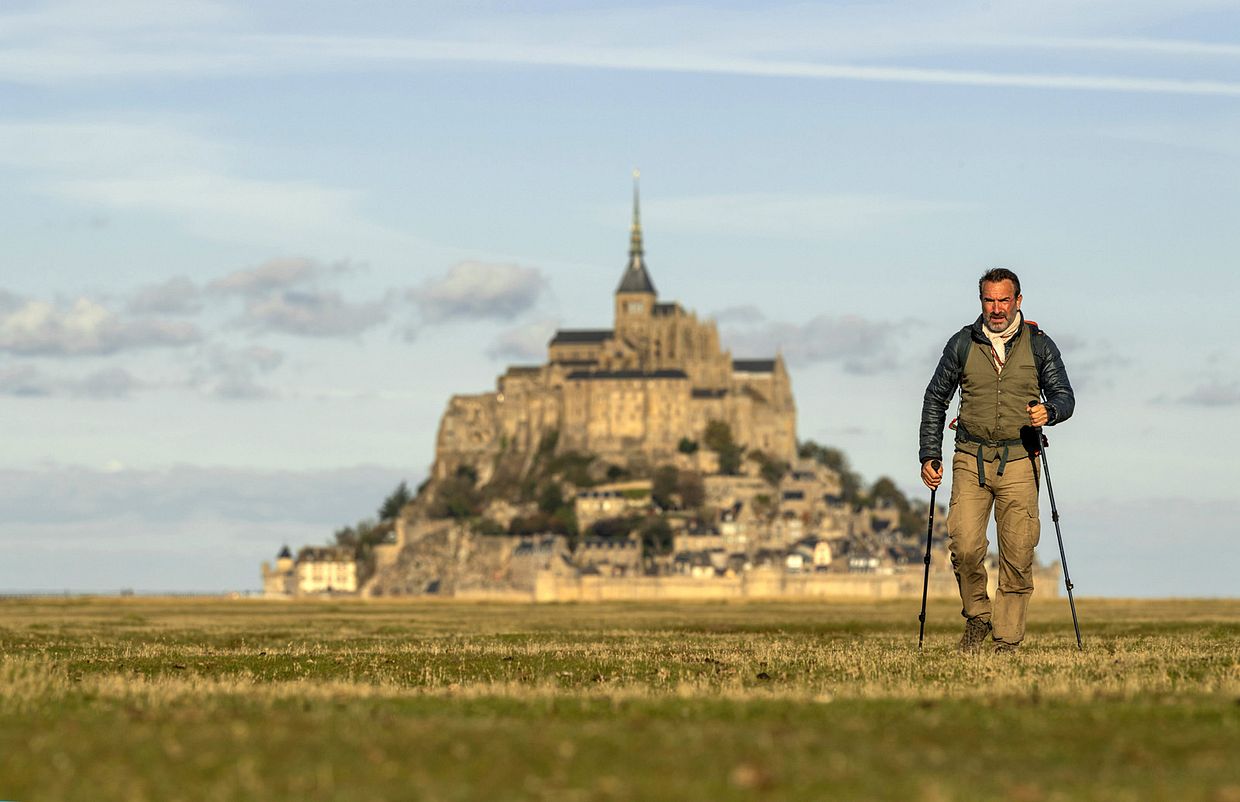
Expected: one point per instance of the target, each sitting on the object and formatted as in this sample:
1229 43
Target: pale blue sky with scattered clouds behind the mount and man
251 250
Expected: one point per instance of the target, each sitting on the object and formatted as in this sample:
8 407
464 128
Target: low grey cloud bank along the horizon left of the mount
184 529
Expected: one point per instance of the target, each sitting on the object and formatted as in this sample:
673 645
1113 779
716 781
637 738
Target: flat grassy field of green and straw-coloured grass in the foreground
245 700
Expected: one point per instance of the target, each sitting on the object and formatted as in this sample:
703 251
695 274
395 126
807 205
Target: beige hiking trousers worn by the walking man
1015 498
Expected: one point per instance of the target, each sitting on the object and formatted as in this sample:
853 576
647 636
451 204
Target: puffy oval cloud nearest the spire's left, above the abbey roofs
474 291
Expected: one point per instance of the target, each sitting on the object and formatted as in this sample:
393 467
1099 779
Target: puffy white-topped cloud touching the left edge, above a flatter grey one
85 328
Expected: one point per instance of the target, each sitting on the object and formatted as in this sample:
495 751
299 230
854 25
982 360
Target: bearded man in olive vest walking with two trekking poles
1000 364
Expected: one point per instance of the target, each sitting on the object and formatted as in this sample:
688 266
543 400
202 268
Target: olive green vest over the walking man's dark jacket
994 407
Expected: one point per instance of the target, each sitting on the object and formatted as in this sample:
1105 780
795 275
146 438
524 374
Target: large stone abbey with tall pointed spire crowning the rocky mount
632 392
